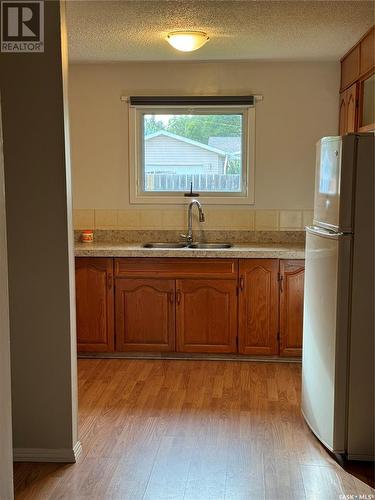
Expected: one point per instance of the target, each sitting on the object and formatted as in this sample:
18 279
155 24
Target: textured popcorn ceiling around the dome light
239 30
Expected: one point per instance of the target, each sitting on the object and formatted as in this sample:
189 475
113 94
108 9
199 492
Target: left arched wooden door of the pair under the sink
145 314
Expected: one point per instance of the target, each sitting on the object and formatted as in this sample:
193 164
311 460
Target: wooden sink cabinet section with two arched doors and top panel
190 305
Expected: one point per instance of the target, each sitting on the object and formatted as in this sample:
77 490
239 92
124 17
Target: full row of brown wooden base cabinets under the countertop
249 306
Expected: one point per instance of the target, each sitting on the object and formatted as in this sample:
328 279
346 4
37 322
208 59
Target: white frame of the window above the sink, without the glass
138 196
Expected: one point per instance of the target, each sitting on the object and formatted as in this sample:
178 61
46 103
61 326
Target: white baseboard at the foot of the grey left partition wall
63 455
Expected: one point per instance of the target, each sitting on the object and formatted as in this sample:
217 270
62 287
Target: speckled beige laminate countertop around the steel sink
239 251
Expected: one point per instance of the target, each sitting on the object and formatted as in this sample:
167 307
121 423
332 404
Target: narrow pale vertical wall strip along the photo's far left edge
6 465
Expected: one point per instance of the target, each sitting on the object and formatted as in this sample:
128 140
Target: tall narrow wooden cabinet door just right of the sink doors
258 307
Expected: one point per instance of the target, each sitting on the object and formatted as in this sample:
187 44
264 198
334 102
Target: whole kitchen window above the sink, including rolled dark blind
199 144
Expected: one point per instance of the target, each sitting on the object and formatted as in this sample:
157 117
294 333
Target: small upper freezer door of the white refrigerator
327 182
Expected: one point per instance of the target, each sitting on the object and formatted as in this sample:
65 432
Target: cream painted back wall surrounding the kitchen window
300 106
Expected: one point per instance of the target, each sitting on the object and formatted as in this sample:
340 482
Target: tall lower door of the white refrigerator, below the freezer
324 364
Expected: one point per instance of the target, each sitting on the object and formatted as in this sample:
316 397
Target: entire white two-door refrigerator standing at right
338 330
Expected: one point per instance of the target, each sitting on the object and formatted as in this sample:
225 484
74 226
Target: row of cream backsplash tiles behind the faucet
216 219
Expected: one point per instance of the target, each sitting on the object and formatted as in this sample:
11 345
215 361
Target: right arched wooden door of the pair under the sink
206 315
